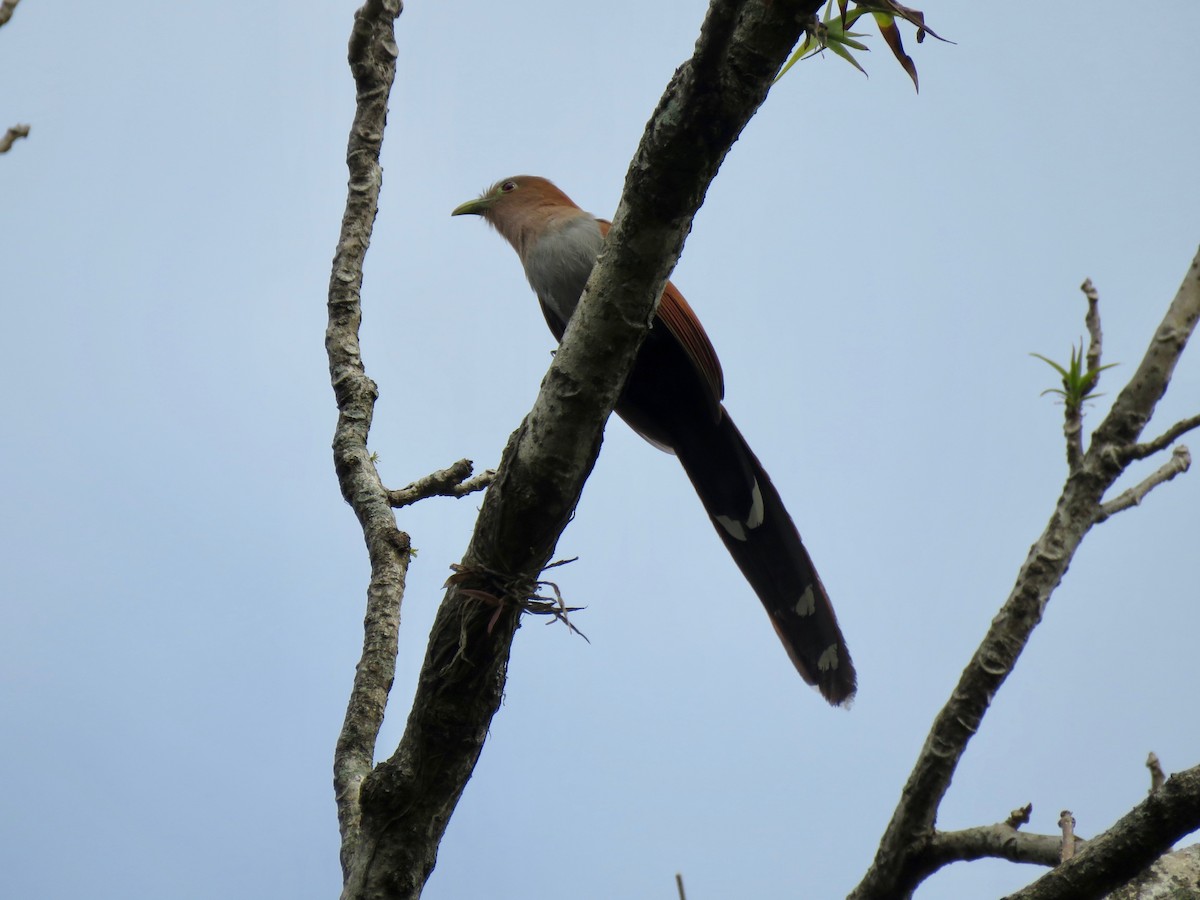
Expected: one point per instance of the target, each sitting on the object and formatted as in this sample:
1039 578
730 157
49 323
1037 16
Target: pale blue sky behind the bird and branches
184 587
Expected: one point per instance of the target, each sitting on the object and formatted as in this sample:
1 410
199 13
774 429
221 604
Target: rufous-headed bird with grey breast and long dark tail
674 398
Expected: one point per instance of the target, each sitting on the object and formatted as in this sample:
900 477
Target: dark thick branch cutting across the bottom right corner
1132 844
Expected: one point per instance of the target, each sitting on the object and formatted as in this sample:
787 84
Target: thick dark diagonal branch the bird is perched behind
409 800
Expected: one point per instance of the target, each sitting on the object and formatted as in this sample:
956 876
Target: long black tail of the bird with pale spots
749 514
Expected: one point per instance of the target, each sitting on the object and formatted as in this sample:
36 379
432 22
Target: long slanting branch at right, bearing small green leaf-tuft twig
897 868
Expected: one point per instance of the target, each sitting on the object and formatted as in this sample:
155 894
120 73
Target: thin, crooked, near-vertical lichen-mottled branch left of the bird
373 56
